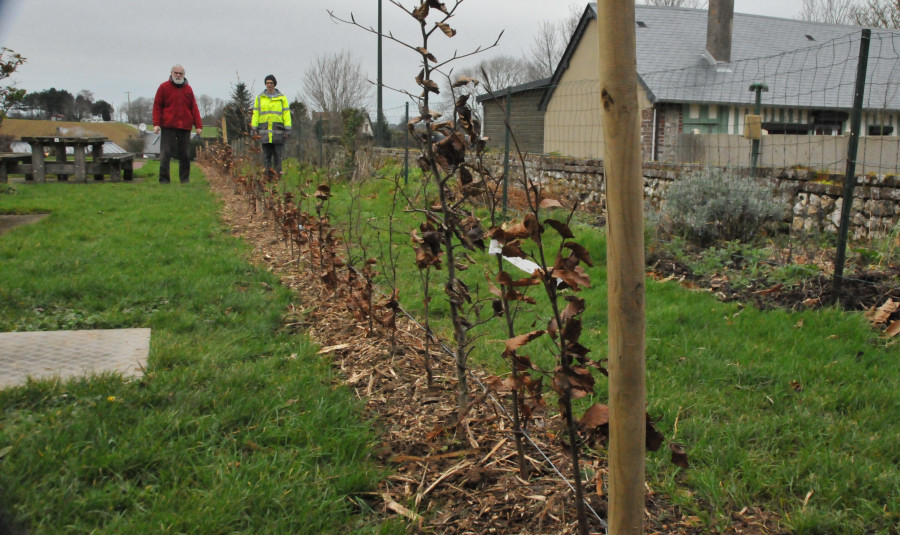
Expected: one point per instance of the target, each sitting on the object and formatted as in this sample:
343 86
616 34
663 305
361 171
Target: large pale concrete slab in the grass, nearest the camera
68 354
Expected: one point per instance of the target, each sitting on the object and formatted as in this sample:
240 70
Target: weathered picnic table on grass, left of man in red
62 167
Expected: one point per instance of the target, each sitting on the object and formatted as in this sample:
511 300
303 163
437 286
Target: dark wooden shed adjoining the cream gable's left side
525 118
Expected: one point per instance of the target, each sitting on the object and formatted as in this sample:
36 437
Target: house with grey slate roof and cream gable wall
695 72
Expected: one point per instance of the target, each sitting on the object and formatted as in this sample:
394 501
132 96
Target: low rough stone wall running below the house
814 198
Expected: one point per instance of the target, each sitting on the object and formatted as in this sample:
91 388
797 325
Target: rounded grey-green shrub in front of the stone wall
712 204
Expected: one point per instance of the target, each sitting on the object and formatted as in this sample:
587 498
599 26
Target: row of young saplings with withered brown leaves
456 185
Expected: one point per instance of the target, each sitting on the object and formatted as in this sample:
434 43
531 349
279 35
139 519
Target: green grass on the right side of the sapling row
793 412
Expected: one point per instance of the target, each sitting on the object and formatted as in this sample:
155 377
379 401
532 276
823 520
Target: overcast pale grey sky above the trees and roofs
113 47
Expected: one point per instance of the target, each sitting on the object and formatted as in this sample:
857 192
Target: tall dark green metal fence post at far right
850 175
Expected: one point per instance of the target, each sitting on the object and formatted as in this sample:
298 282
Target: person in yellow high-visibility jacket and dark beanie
272 122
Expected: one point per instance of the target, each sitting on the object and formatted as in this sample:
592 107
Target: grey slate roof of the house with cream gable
805 64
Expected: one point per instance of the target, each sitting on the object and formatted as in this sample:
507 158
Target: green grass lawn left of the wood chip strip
237 427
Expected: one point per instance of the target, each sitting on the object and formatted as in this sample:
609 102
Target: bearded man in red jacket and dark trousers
175 112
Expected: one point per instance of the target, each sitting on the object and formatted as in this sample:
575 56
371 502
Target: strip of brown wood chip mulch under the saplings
446 481
